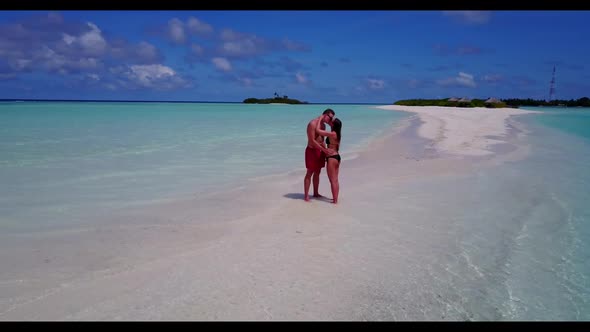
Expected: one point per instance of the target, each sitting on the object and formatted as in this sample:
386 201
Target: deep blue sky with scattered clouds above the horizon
316 56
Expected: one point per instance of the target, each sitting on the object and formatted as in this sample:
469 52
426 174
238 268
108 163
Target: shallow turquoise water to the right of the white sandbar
524 228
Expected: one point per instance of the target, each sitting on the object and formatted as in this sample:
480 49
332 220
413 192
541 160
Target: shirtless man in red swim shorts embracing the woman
315 153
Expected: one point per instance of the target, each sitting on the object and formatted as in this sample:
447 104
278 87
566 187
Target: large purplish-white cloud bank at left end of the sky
48 44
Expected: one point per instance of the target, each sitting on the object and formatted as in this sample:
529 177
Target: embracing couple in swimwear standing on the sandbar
319 153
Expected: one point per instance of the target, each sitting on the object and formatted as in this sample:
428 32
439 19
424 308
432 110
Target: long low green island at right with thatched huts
494 103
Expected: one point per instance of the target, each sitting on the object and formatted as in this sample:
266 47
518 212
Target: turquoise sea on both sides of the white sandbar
520 247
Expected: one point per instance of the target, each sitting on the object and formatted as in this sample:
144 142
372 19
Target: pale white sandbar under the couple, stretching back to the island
405 241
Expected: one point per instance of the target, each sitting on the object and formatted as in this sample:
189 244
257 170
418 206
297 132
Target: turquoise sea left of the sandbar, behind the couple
62 160
